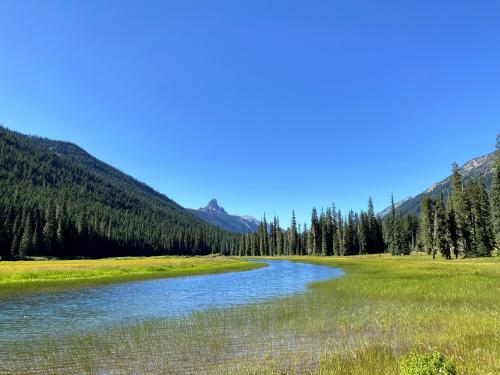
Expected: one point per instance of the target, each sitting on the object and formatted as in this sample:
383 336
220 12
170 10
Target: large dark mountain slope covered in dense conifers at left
58 200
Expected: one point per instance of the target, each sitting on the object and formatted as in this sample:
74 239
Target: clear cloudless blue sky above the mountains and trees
265 105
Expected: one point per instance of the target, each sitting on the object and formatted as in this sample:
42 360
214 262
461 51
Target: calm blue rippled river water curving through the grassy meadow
59 313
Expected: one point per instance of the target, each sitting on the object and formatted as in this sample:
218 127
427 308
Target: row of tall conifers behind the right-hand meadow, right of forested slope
465 223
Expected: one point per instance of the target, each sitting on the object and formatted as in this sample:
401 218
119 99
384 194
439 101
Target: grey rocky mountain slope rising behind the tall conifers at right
475 168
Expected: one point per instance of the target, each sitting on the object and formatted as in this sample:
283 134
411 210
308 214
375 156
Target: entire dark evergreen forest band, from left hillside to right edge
58 201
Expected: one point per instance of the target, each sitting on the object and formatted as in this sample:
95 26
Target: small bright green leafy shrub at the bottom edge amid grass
430 363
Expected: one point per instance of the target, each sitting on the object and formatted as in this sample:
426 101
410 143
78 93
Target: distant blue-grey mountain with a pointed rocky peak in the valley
216 215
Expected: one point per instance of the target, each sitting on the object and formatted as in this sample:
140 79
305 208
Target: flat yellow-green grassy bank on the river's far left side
40 275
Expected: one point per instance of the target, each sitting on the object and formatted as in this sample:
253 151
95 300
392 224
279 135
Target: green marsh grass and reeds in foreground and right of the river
362 323
